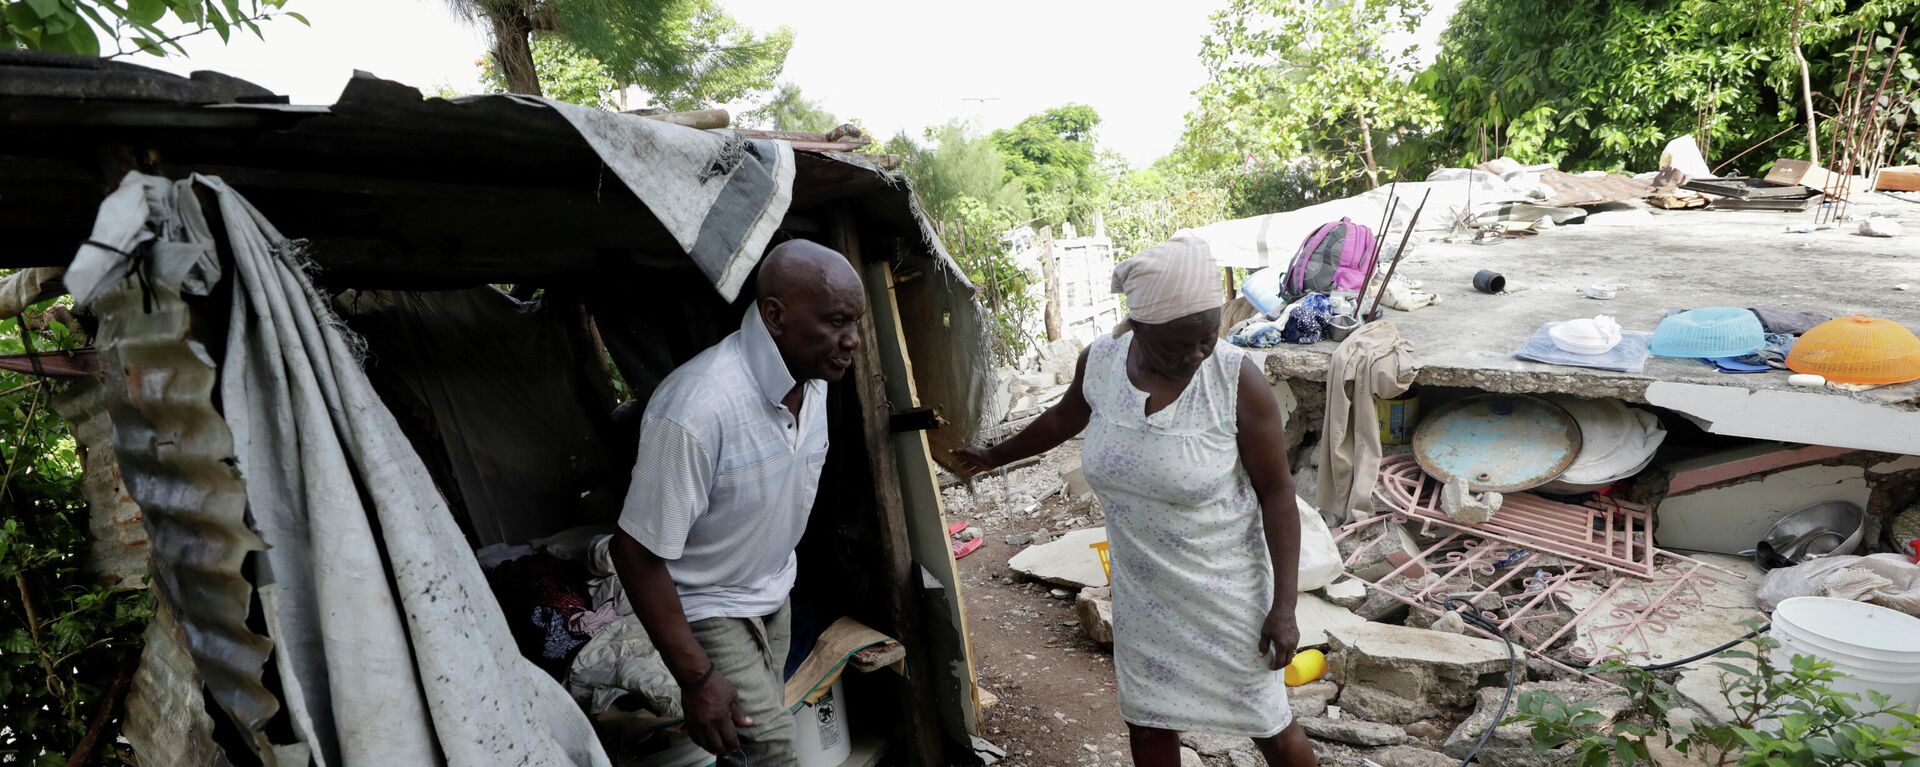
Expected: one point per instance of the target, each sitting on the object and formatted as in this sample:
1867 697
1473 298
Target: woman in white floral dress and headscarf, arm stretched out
1184 449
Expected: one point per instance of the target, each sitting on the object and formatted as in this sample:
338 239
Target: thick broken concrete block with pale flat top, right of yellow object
1420 666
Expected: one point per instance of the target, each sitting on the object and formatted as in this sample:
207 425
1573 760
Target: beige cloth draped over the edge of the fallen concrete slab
1374 362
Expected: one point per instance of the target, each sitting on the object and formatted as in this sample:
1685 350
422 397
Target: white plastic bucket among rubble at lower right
1867 645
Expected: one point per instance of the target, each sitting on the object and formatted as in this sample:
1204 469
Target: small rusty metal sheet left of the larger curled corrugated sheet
118 549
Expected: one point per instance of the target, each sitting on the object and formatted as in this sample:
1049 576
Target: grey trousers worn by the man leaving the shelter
754 655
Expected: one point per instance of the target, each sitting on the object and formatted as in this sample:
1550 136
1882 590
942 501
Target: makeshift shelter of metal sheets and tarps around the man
324 401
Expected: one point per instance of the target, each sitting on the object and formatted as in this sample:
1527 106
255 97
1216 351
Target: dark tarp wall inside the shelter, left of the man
502 385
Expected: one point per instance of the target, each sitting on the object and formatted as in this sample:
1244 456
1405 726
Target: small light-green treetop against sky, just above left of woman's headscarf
1053 159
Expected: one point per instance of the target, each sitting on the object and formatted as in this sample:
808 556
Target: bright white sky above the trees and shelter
894 64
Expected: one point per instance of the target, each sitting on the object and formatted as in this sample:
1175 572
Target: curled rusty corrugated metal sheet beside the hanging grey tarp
178 460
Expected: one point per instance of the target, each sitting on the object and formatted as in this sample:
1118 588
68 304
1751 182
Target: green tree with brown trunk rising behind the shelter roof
683 53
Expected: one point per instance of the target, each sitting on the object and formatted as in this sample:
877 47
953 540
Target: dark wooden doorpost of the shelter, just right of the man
923 731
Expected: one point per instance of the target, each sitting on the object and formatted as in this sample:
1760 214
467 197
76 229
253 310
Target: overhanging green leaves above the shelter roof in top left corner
78 26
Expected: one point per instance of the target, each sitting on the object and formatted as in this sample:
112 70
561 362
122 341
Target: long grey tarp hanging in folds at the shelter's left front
387 639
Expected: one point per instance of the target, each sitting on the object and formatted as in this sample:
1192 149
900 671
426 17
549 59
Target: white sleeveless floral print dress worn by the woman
1191 572
